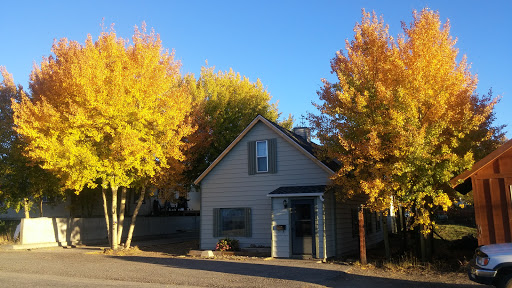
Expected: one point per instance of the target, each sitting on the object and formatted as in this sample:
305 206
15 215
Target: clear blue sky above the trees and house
286 44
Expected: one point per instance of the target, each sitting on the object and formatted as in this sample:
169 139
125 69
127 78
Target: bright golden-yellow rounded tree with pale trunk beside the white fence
107 110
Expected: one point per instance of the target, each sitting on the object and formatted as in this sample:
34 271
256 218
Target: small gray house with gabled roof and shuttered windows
268 189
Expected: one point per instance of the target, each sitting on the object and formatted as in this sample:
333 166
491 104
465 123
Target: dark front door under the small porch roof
303 225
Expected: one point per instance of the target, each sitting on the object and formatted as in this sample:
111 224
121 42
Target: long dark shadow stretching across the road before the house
331 276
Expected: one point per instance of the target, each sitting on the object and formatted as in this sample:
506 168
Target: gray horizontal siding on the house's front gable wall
228 185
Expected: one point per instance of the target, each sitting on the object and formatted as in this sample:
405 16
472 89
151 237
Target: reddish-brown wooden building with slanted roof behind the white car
491 181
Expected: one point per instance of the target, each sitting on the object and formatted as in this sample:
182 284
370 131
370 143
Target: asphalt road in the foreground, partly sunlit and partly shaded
85 267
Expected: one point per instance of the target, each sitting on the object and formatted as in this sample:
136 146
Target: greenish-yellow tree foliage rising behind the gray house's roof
226 102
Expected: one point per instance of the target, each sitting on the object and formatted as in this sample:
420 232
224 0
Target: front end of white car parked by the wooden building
492 265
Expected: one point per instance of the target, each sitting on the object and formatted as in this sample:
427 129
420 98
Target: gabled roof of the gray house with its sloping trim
295 140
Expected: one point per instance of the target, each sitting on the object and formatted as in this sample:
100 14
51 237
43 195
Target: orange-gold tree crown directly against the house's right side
359 113
